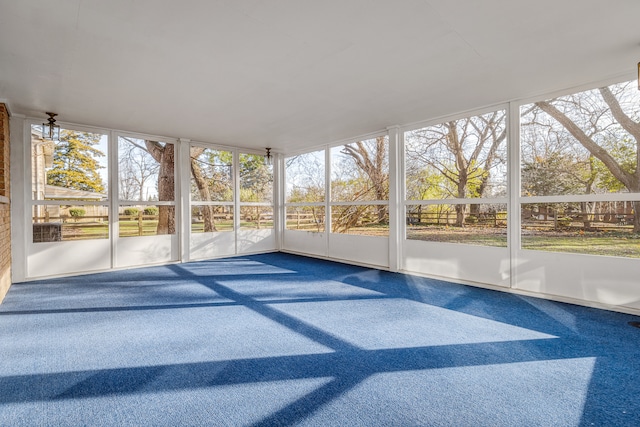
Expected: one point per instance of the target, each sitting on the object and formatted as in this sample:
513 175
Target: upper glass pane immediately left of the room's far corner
256 179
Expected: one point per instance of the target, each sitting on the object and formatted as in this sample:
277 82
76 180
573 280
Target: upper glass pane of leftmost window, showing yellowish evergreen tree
74 168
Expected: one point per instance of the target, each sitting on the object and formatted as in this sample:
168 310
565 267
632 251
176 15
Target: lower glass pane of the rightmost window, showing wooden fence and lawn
594 228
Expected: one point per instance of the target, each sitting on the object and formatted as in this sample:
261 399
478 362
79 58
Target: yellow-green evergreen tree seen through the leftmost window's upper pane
75 164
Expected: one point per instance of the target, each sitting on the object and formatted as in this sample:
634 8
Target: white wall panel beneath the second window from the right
481 264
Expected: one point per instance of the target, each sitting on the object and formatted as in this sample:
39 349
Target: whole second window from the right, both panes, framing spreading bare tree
456 181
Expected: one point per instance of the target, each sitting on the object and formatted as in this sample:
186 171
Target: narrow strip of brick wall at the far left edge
5 213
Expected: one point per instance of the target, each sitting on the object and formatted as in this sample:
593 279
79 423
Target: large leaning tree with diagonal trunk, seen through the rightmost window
597 120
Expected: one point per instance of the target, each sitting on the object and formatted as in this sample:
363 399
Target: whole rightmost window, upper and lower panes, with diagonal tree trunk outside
579 153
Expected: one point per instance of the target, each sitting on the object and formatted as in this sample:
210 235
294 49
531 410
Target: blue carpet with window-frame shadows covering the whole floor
279 339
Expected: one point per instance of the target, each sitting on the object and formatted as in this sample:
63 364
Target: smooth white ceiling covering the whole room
292 74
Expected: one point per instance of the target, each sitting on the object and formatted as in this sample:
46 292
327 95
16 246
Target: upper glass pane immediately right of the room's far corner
305 178
